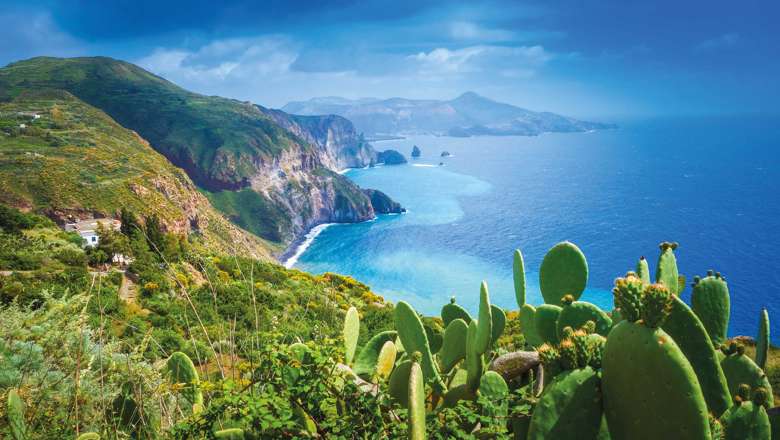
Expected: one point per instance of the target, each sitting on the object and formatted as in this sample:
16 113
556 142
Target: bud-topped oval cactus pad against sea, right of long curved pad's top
711 303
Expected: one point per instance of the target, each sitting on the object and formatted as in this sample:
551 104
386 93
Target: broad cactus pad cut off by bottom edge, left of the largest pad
569 408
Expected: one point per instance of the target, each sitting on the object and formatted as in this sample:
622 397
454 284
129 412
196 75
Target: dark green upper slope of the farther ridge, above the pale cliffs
216 140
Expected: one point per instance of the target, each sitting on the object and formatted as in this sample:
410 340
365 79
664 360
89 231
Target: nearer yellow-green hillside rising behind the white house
75 160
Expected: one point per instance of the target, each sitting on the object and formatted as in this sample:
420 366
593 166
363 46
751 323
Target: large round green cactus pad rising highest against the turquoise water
564 271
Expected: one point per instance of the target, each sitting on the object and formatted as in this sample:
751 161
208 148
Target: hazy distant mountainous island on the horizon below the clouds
467 115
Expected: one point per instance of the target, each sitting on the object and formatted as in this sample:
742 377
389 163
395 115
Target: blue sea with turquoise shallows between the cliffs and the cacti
713 185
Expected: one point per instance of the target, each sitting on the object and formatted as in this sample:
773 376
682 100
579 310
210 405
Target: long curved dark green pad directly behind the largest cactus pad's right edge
687 330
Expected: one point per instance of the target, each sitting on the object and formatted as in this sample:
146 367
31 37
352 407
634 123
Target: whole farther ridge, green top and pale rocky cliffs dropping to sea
272 173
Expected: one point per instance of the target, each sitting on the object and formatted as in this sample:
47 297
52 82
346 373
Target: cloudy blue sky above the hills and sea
600 58
